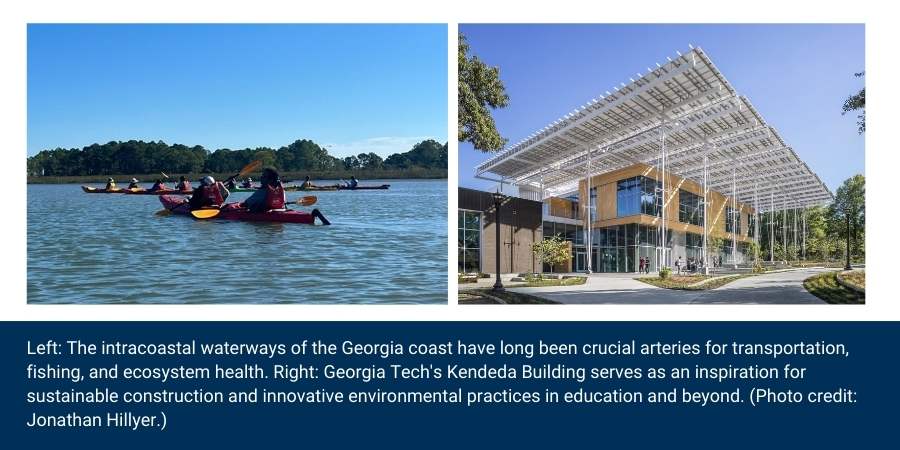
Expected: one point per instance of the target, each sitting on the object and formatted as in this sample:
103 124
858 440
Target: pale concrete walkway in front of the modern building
774 288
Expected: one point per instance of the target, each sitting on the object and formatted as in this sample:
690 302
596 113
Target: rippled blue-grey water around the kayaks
382 247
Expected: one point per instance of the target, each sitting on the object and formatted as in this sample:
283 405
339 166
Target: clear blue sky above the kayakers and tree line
354 88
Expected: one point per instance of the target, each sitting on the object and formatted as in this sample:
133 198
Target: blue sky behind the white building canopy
797 76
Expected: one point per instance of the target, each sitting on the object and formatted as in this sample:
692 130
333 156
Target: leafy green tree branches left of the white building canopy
478 89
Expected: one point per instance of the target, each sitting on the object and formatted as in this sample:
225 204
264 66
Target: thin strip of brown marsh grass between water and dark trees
415 173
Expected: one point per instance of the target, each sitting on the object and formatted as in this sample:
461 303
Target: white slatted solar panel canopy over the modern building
686 107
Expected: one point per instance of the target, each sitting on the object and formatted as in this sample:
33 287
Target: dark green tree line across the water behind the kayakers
140 157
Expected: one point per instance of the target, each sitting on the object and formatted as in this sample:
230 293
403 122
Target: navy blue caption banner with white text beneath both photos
449 384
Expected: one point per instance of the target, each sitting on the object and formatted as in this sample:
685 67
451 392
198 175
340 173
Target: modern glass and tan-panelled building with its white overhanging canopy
674 164
